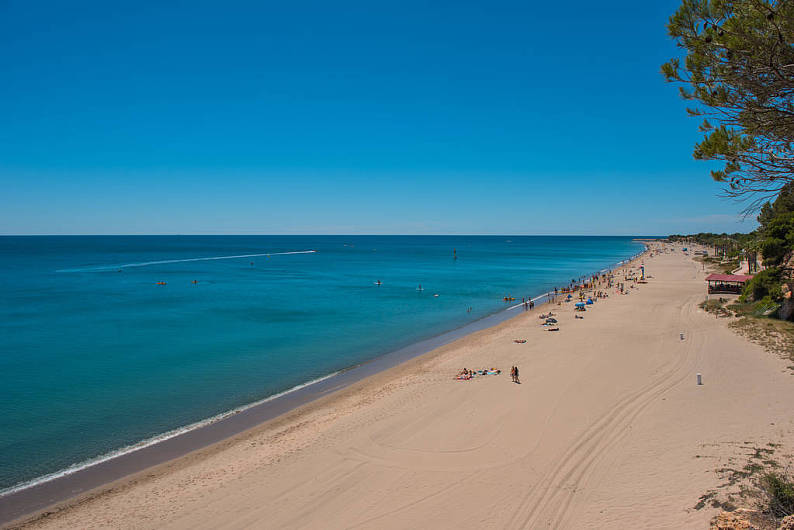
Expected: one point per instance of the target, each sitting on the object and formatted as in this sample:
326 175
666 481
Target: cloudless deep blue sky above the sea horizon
347 117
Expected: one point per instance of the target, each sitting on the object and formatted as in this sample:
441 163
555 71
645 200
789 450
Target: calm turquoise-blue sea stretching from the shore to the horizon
95 355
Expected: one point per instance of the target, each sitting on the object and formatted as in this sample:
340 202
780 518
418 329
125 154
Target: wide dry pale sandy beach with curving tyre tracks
607 429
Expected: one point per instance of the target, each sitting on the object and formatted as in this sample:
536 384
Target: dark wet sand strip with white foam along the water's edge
29 500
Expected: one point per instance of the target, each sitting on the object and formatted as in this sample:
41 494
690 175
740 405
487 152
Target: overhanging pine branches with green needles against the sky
738 70
